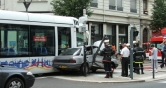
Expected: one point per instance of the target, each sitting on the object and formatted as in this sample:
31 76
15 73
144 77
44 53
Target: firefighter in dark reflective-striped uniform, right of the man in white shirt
139 53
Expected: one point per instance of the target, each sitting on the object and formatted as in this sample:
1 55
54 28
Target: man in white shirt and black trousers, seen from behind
124 58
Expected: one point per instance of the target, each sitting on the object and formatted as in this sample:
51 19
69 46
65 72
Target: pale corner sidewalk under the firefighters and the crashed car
100 74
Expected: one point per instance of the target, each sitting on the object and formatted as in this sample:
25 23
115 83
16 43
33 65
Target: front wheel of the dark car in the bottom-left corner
15 83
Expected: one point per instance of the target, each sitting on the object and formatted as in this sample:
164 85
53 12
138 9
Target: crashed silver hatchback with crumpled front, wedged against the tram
73 59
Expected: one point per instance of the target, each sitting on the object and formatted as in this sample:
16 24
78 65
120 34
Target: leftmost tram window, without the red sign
14 40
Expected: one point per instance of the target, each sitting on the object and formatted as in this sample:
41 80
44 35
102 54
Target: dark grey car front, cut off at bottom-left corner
13 77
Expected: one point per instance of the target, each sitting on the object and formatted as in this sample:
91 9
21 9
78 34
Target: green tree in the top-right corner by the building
158 15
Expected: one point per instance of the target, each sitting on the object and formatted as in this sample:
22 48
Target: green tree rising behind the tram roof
72 8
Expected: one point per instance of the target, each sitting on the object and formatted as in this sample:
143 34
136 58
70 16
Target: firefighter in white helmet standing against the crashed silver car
107 52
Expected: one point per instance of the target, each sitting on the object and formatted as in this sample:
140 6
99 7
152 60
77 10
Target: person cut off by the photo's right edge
163 44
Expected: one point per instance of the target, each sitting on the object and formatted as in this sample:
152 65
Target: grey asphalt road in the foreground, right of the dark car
59 83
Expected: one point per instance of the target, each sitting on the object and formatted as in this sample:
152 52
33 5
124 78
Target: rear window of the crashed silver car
71 51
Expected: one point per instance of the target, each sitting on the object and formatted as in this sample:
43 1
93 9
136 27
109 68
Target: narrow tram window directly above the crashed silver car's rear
64 39
